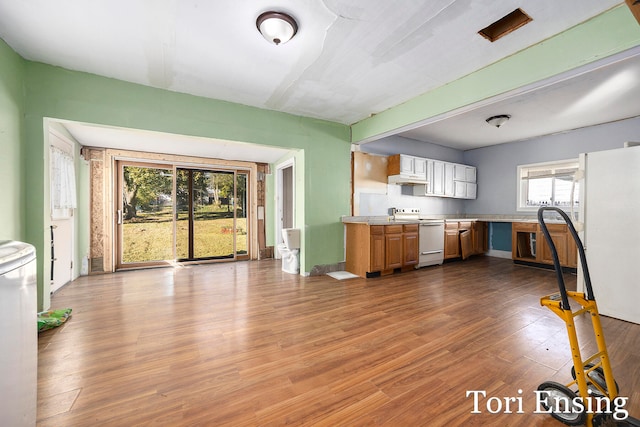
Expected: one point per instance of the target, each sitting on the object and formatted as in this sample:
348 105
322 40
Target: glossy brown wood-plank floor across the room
244 344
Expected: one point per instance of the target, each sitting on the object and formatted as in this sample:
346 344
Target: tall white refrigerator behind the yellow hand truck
610 218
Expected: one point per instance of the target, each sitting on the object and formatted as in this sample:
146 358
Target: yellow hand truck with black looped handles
597 402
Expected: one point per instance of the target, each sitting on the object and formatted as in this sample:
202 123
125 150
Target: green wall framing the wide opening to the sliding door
52 92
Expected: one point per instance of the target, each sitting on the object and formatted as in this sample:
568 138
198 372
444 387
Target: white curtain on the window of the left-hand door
63 180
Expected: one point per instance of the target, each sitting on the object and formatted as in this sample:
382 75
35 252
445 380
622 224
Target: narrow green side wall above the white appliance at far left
12 204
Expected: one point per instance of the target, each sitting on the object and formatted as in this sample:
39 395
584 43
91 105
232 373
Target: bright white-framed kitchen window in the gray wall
548 184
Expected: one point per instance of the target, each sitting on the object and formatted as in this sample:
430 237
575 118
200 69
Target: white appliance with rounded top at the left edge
19 337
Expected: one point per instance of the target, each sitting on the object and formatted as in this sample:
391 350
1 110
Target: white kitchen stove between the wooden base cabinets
431 245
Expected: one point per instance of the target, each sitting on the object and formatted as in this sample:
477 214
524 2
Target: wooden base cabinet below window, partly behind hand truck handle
529 246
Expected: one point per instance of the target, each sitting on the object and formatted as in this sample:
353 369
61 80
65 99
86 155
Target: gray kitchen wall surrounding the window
497 165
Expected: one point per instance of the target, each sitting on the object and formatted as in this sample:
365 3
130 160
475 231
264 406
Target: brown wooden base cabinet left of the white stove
380 249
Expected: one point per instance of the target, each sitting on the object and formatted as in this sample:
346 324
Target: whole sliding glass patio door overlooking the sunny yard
199 215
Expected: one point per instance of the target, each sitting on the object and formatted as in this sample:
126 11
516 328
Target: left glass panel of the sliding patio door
146 232
